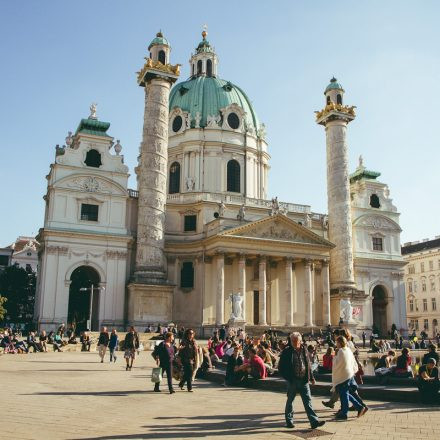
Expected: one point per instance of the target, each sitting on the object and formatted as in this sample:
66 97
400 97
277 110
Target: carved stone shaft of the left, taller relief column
152 181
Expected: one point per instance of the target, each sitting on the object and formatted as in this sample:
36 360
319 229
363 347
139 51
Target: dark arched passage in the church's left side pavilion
82 280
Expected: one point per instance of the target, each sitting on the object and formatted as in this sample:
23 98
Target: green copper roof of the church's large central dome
208 95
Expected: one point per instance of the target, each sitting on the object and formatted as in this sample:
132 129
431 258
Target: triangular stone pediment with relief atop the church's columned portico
278 228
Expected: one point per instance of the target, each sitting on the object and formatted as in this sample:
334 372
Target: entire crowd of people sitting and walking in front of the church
247 359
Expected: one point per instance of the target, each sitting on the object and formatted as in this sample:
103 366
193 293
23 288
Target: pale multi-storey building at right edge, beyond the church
422 281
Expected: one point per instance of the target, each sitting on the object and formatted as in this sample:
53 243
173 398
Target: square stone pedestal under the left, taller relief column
149 303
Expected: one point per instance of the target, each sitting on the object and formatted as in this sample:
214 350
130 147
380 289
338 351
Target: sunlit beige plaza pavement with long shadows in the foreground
73 396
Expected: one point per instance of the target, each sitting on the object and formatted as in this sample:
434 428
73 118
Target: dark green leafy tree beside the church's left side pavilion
18 286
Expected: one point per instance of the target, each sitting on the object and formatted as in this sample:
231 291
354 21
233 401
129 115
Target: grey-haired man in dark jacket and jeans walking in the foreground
294 367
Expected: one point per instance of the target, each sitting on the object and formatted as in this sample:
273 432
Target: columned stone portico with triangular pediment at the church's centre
279 266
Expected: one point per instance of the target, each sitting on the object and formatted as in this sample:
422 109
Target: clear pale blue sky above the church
57 57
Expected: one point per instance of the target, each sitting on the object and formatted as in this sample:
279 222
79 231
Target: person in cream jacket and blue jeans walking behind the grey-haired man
343 372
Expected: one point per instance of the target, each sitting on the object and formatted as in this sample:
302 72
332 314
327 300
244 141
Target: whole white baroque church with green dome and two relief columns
198 243
